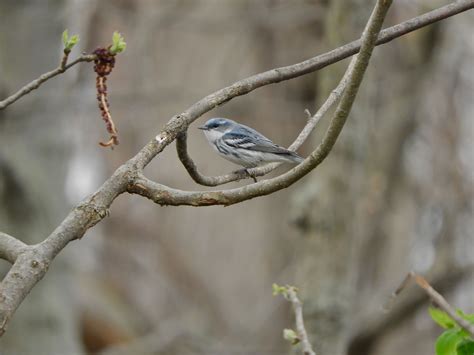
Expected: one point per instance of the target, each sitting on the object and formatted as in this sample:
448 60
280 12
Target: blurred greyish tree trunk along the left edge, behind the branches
32 171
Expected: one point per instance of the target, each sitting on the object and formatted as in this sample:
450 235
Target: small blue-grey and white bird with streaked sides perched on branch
243 145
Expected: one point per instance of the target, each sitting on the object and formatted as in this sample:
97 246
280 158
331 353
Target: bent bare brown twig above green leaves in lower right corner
436 297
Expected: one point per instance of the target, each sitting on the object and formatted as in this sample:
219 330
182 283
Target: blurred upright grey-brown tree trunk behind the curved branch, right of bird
325 206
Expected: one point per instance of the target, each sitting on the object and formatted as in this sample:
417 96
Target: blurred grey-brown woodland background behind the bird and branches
396 193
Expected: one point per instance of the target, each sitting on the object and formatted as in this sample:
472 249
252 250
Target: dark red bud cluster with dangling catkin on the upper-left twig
104 63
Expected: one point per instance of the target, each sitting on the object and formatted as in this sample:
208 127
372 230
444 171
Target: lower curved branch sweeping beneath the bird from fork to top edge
164 195
